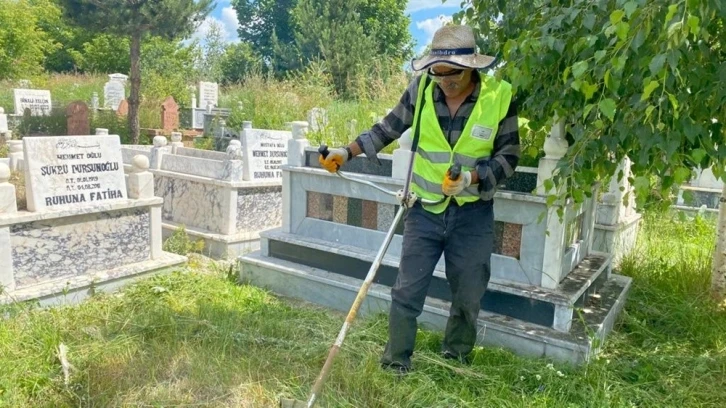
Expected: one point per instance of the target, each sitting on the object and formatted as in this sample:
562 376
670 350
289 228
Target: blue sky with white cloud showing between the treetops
426 17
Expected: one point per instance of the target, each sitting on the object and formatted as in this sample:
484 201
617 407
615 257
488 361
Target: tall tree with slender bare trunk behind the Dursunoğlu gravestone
136 20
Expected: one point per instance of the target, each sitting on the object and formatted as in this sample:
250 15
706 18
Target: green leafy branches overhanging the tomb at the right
640 78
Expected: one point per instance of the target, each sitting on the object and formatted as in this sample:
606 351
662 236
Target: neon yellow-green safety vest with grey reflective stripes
434 155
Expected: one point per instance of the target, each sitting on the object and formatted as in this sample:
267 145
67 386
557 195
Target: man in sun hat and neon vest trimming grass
462 116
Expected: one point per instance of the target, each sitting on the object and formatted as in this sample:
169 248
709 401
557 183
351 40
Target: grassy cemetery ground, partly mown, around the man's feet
197 337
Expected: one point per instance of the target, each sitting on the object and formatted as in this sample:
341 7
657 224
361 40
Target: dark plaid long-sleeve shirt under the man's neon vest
492 171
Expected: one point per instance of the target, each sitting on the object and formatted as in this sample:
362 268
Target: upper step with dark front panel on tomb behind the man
545 307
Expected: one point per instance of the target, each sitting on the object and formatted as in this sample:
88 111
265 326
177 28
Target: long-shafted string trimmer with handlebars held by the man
406 199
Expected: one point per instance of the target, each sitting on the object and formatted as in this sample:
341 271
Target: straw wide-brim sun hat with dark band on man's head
454 45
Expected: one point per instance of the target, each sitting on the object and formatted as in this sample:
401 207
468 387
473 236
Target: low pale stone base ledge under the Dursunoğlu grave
76 289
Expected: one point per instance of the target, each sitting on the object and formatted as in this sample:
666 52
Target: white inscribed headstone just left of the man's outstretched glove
264 154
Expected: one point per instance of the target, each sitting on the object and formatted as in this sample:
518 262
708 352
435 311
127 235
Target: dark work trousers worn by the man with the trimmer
465 235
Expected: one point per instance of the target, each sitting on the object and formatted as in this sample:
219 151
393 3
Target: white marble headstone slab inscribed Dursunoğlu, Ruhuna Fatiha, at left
63 172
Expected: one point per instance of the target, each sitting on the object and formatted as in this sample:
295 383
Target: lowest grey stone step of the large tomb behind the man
337 291
